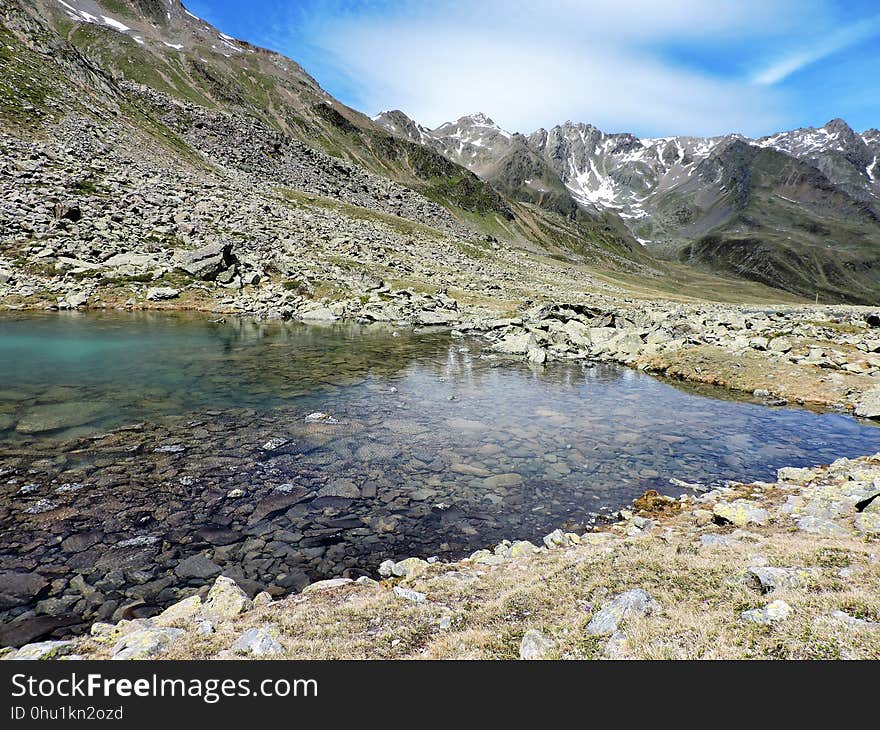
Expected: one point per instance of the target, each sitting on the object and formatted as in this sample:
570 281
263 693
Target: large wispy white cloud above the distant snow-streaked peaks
527 64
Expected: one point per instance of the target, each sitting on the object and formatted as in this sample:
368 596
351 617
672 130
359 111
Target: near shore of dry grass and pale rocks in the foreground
741 530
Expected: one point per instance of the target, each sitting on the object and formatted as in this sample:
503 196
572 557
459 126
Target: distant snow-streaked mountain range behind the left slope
797 210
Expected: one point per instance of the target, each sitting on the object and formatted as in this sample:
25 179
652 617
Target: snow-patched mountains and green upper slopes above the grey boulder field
798 211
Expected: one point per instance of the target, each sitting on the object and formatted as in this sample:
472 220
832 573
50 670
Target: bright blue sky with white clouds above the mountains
652 68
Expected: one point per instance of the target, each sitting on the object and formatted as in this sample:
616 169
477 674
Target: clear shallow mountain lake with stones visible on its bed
432 448
